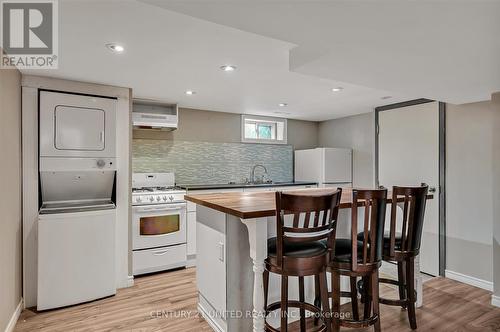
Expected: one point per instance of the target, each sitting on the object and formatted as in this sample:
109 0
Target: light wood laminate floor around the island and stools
155 303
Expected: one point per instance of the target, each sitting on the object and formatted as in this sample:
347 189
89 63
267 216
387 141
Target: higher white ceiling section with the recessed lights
168 53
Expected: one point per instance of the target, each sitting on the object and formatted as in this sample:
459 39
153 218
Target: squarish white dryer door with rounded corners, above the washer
79 128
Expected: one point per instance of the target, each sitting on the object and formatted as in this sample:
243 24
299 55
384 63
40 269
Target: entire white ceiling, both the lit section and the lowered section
406 50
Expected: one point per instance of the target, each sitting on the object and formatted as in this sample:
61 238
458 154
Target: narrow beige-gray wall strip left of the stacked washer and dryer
10 195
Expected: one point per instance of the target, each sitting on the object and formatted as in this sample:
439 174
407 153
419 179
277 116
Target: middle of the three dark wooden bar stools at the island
360 257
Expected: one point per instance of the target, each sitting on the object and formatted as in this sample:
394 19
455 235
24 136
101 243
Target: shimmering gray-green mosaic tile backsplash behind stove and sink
211 163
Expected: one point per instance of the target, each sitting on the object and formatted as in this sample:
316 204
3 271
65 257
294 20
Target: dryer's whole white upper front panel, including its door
76 125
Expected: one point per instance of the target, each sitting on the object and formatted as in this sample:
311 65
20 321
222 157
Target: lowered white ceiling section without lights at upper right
443 50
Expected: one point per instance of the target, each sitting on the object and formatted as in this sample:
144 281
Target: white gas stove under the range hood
158 223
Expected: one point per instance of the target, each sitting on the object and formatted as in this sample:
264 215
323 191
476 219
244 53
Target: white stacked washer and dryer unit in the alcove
77 173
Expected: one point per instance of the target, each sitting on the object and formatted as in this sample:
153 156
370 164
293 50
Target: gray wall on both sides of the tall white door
472 176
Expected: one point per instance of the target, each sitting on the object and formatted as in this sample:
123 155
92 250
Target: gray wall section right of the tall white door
469 189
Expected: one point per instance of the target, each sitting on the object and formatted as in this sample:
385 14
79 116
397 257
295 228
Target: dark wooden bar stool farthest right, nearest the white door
401 246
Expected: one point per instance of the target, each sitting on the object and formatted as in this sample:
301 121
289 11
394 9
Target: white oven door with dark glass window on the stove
159 225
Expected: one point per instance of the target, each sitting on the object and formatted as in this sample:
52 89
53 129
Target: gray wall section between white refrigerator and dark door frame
356 132
